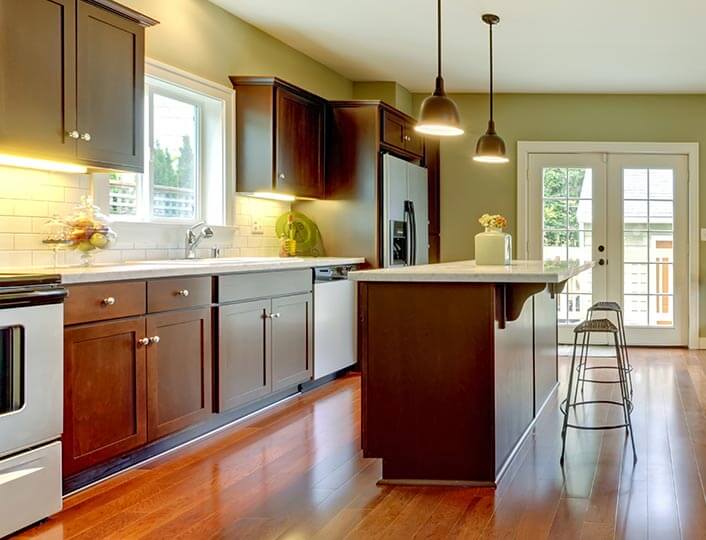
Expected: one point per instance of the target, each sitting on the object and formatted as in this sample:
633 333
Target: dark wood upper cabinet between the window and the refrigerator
280 137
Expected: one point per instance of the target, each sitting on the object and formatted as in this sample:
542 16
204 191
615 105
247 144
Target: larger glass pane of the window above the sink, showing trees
173 166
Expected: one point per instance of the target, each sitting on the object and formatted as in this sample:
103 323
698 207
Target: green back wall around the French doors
469 189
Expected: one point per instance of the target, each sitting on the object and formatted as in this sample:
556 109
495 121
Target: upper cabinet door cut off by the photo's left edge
37 77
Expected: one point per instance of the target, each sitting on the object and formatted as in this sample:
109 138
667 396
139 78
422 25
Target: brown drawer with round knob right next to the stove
101 301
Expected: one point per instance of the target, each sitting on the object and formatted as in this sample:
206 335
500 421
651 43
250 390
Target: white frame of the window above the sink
217 210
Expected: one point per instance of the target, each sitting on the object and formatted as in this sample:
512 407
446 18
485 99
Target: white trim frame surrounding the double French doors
690 150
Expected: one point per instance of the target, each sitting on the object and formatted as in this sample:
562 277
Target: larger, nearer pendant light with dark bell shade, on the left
439 115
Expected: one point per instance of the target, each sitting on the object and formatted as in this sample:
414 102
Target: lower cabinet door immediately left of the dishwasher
291 340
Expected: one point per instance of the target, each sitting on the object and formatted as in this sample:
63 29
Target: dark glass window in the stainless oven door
12 368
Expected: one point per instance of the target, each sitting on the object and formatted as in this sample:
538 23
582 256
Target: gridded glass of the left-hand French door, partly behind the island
567 223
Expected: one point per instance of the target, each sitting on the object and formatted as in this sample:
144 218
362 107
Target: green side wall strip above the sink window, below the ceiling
200 37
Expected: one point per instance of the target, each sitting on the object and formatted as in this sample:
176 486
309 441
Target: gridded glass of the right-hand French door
648 246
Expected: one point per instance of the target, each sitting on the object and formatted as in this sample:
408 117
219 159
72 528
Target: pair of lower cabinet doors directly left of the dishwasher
265 347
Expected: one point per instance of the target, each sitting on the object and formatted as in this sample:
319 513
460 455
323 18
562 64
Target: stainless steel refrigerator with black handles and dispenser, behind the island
405 215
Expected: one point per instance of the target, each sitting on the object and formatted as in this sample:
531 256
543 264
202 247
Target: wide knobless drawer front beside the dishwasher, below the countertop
238 287
